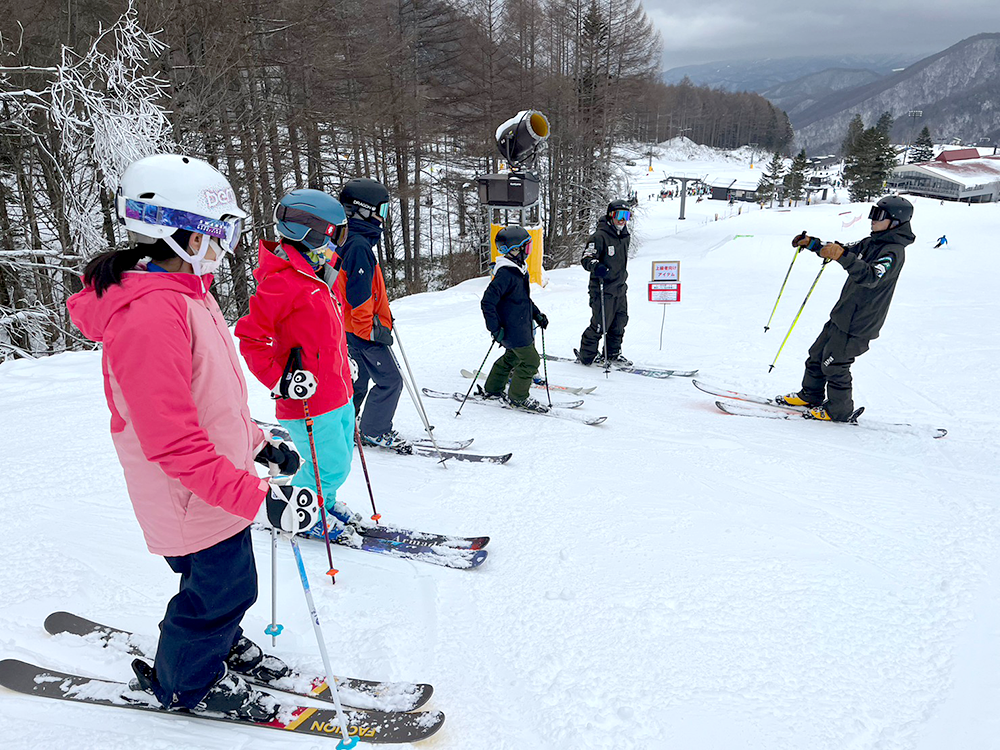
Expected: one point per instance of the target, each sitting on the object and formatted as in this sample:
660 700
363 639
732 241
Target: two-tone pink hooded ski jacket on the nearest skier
179 416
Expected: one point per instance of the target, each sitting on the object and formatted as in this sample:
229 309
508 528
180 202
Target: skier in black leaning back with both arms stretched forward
873 265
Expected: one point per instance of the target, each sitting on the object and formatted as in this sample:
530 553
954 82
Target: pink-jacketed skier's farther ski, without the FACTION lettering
365 694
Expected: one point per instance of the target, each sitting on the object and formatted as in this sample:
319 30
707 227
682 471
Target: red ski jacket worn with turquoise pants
293 307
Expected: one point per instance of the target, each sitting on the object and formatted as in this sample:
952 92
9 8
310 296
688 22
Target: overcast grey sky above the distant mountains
702 31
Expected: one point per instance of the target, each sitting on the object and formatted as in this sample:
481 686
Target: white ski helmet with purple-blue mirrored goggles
160 194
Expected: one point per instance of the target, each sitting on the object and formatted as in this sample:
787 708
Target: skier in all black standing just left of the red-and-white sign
606 257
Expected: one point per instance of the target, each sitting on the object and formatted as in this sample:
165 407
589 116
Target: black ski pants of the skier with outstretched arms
828 371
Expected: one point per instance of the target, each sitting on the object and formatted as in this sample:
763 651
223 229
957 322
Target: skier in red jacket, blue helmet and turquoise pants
297 308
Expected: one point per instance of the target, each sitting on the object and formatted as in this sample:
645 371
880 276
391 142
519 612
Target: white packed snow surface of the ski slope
673 578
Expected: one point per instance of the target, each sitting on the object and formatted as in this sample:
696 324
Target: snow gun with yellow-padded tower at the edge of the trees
511 196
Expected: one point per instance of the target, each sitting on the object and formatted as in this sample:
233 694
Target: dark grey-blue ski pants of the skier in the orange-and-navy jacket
375 364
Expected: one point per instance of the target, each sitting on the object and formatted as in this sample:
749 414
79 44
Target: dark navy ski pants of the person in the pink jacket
202 621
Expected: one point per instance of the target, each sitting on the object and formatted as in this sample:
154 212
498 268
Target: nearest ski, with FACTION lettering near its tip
367 726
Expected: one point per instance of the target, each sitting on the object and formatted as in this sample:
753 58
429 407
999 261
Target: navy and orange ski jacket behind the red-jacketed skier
360 280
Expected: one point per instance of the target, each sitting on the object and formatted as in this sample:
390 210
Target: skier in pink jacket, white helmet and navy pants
182 429
